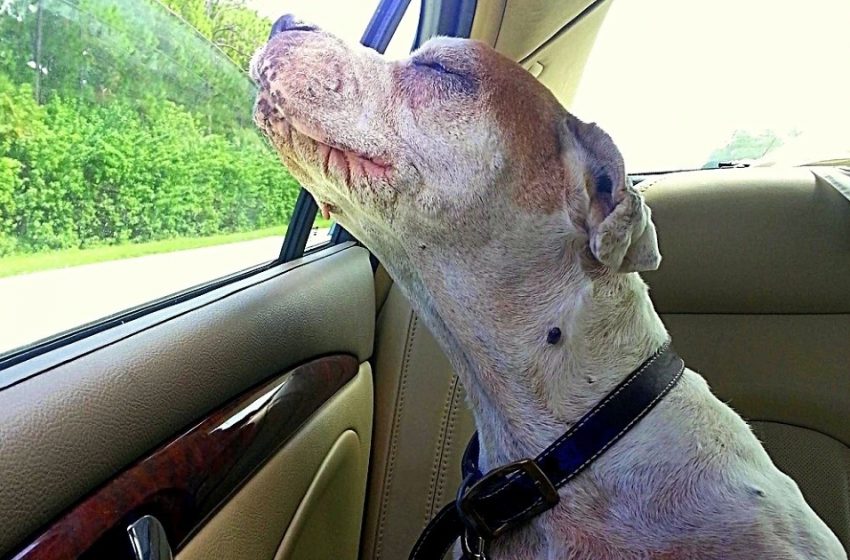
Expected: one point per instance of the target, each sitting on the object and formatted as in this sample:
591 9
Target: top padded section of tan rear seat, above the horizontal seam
756 240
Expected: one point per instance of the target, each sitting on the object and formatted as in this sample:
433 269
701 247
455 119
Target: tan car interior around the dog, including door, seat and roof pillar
301 410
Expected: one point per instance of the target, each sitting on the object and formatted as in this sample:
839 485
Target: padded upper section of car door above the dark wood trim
69 428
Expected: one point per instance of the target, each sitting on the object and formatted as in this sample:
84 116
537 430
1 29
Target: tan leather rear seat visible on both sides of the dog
755 290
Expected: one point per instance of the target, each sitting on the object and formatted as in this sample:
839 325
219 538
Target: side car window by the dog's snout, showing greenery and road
130 167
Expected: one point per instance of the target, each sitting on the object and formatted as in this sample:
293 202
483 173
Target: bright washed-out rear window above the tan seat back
684 85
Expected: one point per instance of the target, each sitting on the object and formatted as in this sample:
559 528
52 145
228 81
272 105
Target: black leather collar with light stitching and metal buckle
489 505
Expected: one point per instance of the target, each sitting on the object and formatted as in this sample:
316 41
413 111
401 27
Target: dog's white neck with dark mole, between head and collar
492 309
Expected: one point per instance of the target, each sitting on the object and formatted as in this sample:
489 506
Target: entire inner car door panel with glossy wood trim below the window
79 420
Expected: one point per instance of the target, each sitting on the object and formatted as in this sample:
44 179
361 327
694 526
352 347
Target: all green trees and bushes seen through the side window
119 123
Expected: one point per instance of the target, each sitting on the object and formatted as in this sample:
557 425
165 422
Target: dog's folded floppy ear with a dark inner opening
619 223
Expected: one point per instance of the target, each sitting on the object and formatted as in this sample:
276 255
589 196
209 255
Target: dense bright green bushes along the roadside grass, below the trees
79 174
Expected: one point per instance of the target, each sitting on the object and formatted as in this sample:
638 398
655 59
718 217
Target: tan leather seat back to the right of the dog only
755 291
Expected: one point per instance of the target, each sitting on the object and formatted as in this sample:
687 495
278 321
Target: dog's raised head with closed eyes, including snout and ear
451 143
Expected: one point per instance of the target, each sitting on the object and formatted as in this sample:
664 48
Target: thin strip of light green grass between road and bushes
22 264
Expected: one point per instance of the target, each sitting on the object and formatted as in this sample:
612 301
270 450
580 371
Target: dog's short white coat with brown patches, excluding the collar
502 216
